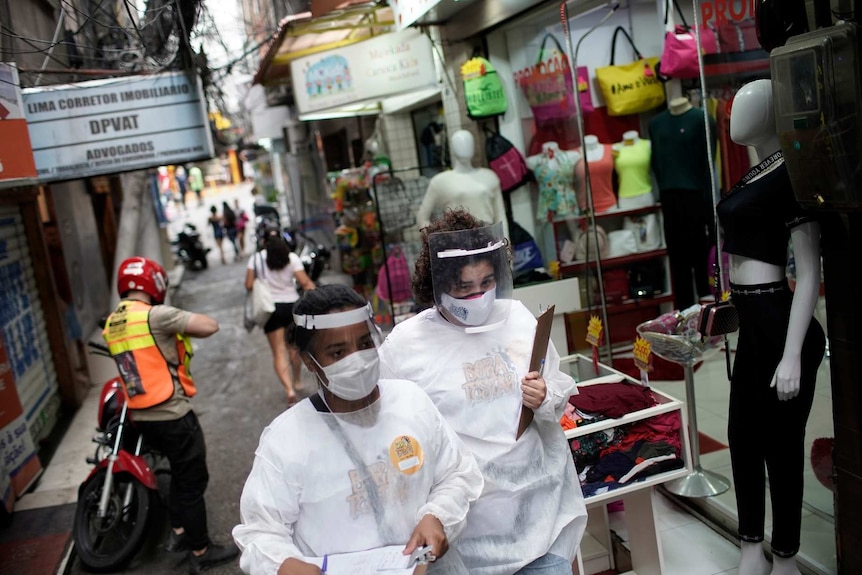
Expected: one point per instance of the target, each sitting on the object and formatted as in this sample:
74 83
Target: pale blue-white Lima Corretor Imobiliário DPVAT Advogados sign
117 125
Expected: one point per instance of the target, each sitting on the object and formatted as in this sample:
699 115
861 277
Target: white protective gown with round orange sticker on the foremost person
305 496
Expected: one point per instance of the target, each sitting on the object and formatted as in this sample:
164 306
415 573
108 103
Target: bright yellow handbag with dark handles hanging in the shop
630 88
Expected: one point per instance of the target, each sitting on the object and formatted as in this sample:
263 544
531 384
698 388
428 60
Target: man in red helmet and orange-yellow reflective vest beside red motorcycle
151 344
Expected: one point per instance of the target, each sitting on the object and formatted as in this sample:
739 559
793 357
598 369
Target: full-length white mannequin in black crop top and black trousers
772 387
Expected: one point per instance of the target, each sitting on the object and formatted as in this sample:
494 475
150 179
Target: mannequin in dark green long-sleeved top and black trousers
680 162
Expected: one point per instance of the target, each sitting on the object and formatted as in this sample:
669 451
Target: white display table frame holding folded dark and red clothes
637 496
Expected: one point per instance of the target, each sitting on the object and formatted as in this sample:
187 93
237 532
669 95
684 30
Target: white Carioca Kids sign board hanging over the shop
384 66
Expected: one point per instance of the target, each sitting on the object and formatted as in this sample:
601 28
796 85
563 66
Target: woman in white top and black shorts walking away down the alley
281 270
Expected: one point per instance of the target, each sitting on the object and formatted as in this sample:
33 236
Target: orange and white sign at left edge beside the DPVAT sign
16 157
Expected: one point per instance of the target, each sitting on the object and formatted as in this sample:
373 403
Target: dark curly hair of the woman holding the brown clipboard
453 219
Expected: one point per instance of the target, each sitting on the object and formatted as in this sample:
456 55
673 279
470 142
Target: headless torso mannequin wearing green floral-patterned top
555 172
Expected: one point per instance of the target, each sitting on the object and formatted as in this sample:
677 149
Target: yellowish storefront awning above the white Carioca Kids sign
304 34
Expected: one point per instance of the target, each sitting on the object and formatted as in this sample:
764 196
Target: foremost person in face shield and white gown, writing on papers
377 464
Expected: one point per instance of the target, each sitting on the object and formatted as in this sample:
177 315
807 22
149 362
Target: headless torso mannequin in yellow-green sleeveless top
632 163
